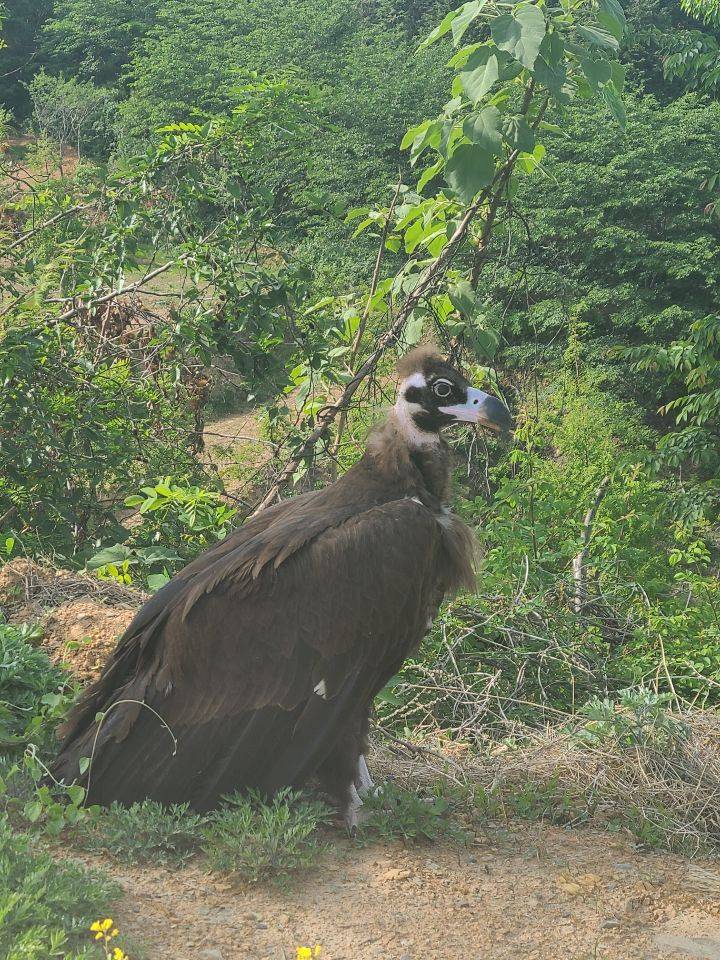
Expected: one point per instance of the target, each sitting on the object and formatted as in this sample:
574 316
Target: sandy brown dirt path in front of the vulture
530 892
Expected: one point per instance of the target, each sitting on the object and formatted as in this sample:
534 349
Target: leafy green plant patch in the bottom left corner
46 904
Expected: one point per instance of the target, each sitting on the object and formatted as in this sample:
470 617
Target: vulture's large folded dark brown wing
257 676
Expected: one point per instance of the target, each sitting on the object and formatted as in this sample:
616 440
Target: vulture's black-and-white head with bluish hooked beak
432 394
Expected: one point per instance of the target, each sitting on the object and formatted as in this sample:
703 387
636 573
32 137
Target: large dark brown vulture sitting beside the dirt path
255 667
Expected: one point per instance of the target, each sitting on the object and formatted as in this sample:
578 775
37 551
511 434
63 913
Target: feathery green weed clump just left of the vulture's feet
265 840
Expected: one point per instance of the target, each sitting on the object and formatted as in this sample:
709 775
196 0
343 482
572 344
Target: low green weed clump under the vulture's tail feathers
146 832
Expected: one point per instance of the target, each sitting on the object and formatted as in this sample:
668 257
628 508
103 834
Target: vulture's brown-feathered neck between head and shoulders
414 460
